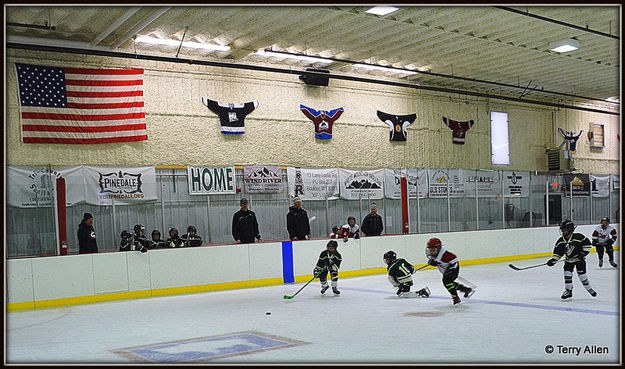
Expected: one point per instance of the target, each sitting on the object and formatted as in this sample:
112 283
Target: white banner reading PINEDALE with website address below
124 185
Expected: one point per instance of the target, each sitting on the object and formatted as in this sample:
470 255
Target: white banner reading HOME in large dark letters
211 180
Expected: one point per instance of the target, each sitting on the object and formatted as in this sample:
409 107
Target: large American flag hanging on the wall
80 106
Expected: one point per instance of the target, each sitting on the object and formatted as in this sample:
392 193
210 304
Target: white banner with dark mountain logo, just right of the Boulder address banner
361 184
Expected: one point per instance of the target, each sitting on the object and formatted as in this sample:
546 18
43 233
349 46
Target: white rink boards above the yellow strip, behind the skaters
36 279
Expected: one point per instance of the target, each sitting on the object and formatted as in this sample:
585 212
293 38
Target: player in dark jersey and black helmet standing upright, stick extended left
575 246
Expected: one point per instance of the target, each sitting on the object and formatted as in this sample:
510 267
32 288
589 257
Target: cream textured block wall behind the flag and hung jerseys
181 130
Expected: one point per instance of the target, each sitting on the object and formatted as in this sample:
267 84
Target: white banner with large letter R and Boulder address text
313 184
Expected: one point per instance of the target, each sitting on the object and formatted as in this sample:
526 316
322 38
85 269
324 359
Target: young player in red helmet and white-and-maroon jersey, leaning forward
447 263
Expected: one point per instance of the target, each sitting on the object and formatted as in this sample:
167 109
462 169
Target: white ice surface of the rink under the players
514 317
